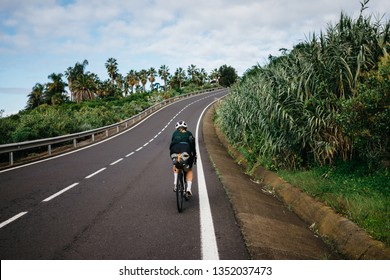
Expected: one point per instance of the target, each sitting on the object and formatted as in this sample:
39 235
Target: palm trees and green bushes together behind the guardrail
50 111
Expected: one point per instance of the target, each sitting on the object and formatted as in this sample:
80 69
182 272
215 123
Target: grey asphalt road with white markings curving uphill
114 200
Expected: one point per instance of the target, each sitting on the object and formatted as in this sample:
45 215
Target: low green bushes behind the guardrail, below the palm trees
49 121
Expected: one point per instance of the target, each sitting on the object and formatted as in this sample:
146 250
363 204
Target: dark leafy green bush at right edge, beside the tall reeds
365 117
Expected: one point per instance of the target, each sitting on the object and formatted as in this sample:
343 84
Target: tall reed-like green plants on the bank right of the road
286 112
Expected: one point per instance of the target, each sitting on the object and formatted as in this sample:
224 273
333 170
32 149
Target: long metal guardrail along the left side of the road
125 124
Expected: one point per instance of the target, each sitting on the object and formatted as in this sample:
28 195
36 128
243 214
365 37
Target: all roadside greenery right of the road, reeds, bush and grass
323 108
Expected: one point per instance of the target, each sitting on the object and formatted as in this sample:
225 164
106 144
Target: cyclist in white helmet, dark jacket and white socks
183 141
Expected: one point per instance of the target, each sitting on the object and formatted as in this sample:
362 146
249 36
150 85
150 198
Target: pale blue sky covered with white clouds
40 37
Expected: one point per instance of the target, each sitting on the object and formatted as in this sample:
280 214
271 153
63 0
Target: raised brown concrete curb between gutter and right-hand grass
349 239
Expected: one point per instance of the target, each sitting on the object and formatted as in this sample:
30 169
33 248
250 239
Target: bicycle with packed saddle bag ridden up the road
180 162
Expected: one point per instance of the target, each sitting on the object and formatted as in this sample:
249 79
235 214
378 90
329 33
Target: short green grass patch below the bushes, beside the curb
352 191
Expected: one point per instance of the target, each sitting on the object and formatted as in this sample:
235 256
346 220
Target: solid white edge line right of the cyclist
207 234
